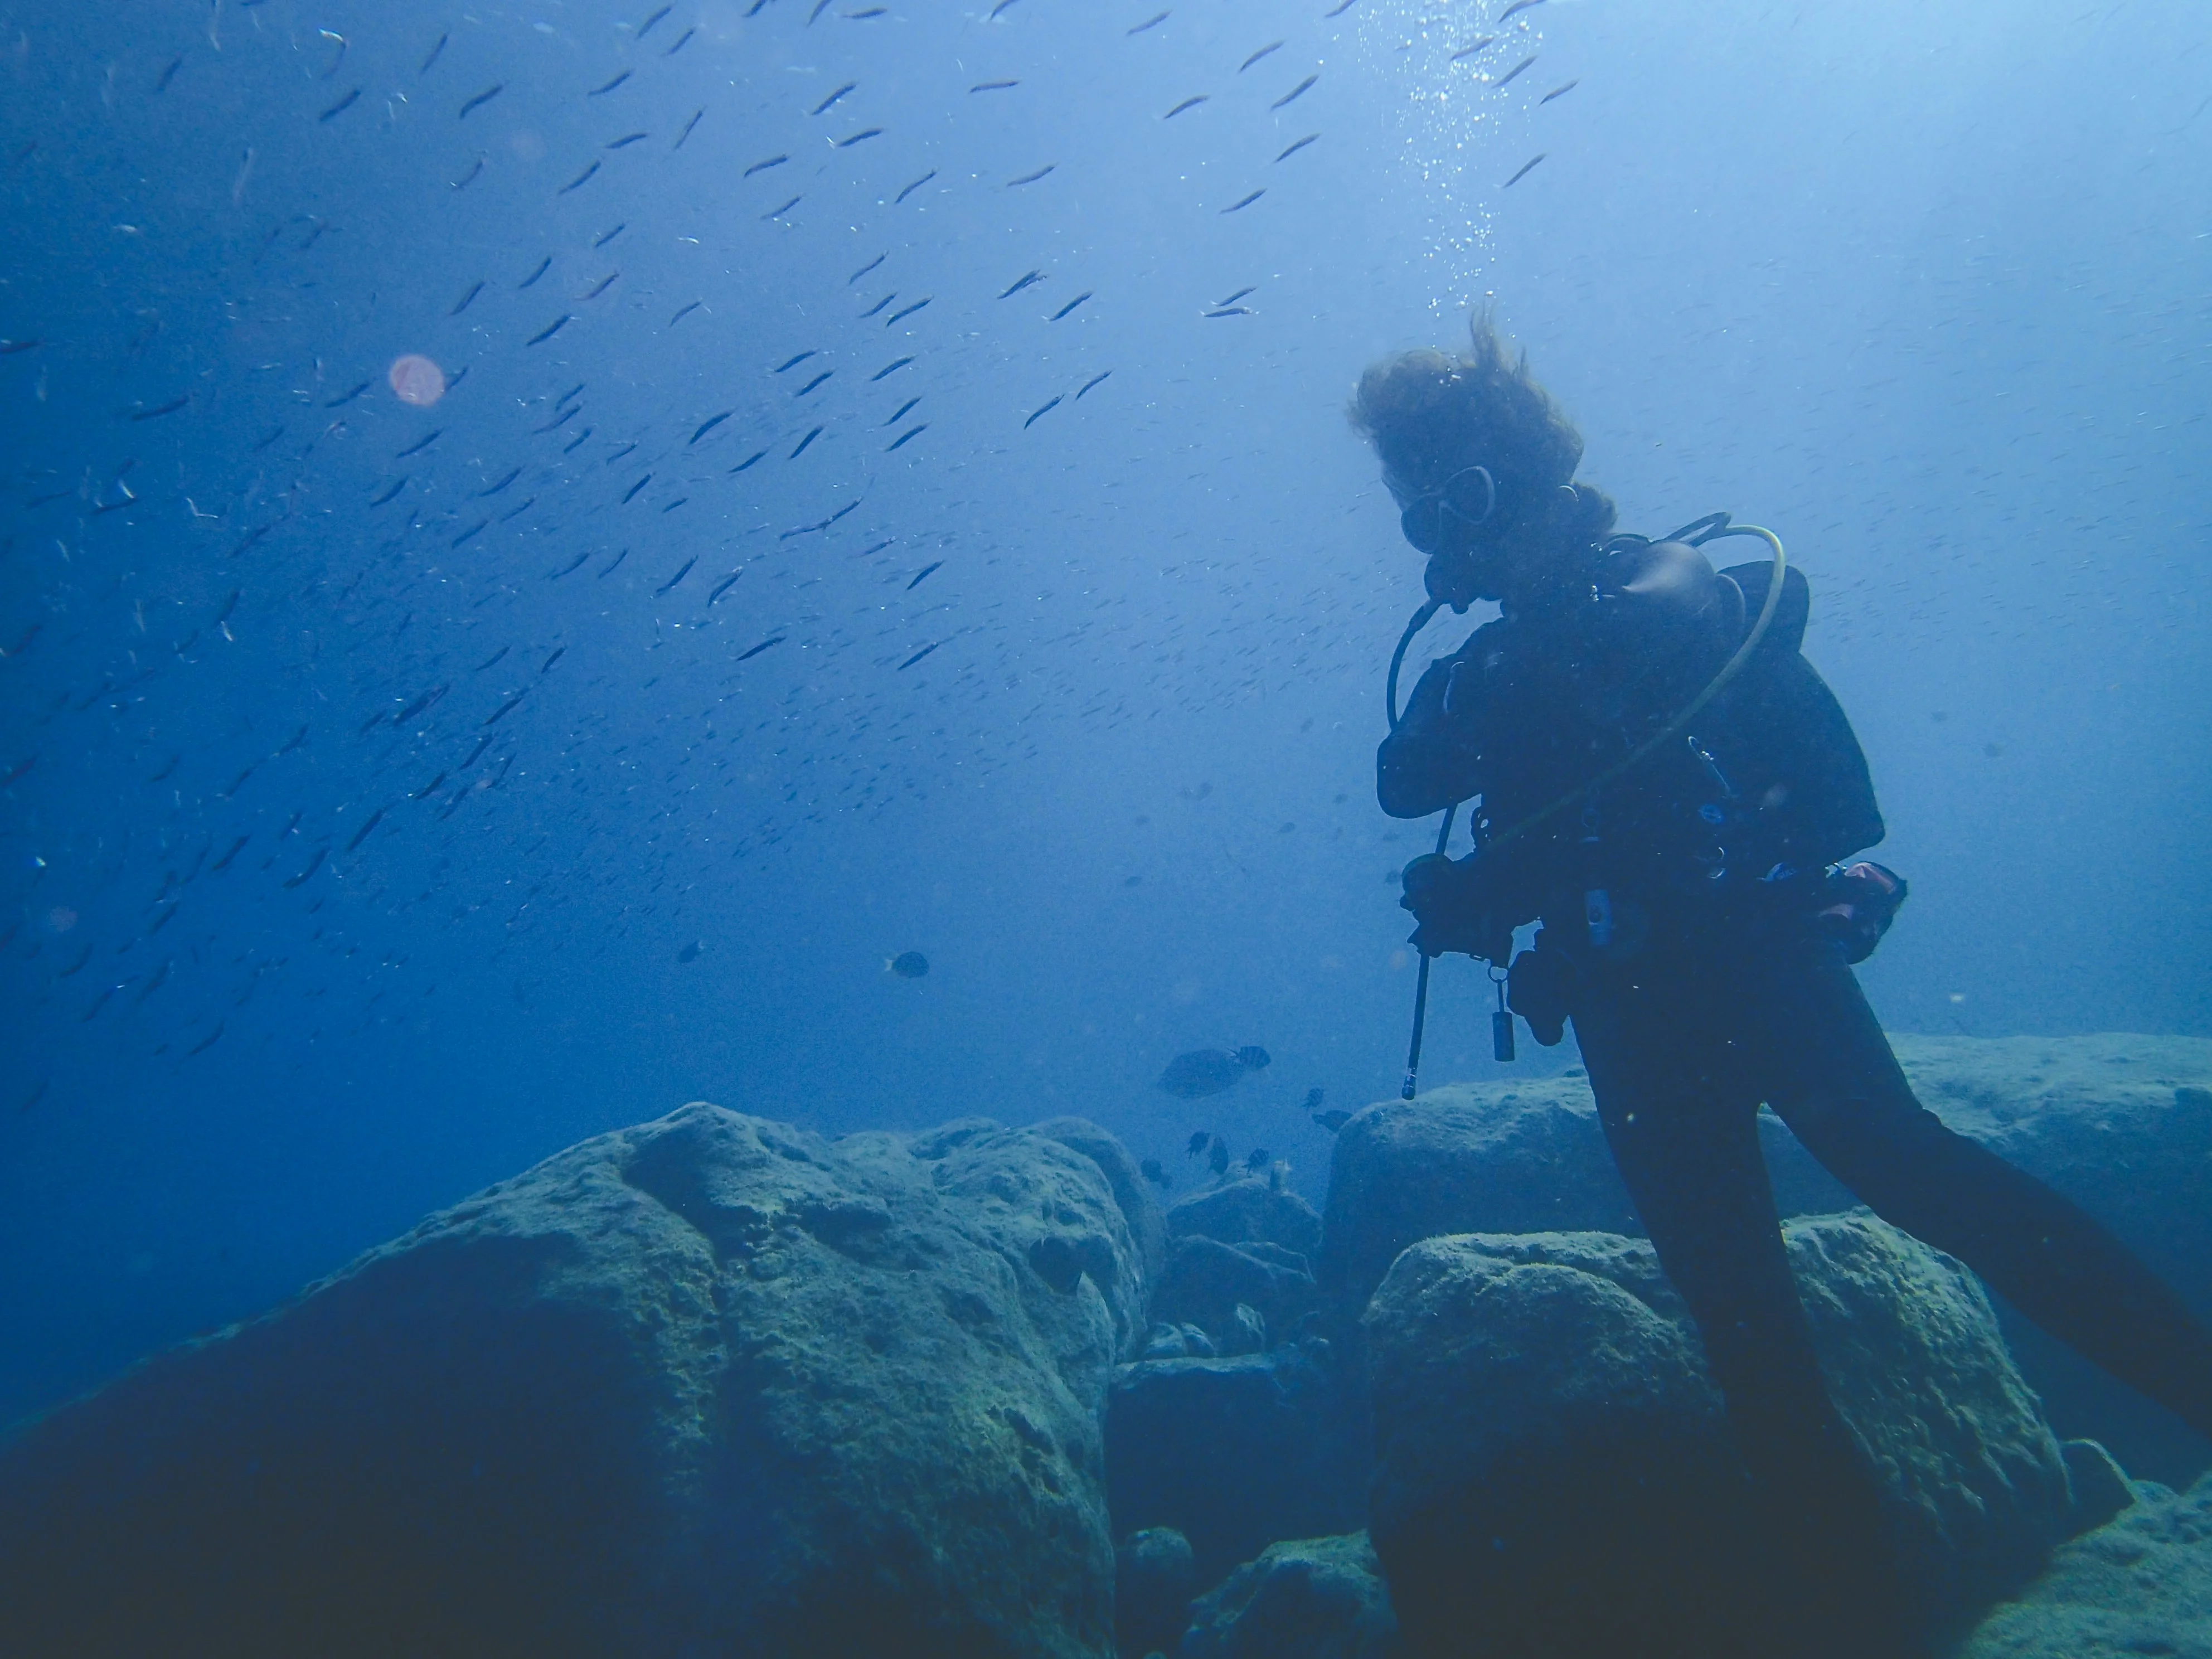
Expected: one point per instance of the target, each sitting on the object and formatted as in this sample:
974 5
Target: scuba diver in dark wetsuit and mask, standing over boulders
1673 793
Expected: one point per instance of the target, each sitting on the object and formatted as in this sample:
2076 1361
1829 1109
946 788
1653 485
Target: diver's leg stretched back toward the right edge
1844 1094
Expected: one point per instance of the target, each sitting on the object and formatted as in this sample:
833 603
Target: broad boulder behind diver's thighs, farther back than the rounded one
2118 1123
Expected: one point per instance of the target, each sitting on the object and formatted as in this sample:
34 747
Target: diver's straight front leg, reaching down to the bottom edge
1682 1125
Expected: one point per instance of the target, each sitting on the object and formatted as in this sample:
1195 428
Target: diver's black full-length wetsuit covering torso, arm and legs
1707 988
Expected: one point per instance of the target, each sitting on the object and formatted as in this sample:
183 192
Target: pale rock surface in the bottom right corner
2138 1587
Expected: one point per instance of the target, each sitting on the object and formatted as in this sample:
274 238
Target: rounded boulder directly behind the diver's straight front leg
1554 1465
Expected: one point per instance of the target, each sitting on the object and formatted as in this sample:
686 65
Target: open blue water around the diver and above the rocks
1926 291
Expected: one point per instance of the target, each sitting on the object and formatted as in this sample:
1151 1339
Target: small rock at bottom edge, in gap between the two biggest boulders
1313 1598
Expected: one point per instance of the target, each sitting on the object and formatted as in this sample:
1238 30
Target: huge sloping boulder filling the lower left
705 1386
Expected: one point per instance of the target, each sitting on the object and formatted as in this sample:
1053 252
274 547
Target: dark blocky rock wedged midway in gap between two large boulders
1238 1452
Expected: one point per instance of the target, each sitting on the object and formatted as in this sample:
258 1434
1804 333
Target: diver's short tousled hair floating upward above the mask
1428 413
